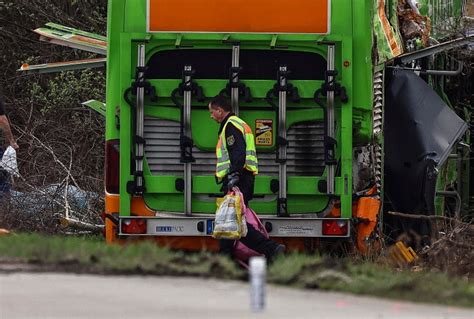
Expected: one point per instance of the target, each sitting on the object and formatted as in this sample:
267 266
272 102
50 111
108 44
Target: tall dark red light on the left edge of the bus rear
112 168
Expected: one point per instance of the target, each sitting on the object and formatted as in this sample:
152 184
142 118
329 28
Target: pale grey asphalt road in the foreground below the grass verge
26 295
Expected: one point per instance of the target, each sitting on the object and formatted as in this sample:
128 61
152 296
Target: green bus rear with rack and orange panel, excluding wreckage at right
291 71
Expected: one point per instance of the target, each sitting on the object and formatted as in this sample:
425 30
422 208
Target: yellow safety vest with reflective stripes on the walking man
223 160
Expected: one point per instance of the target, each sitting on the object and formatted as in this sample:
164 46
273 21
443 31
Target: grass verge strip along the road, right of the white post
364 278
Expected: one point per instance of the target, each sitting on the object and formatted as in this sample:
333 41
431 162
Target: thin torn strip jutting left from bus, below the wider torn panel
63 66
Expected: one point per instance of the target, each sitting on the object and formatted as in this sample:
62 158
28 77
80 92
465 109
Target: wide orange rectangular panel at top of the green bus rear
267 16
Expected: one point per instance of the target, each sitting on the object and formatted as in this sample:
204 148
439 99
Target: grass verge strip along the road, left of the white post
93 255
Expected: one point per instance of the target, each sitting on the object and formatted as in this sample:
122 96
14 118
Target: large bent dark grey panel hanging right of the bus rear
420 132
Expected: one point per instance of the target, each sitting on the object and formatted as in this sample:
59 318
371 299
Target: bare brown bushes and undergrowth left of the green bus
59 139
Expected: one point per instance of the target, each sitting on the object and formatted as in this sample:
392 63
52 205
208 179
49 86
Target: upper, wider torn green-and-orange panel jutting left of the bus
73 38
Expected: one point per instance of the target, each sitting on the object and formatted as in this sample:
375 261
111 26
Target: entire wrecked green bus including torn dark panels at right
318 81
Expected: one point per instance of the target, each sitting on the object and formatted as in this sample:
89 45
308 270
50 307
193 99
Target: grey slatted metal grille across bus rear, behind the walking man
305 152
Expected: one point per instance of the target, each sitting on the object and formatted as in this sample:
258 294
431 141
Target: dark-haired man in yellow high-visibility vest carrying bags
237 165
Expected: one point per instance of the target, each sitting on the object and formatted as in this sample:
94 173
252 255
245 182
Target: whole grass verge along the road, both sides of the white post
92 255
